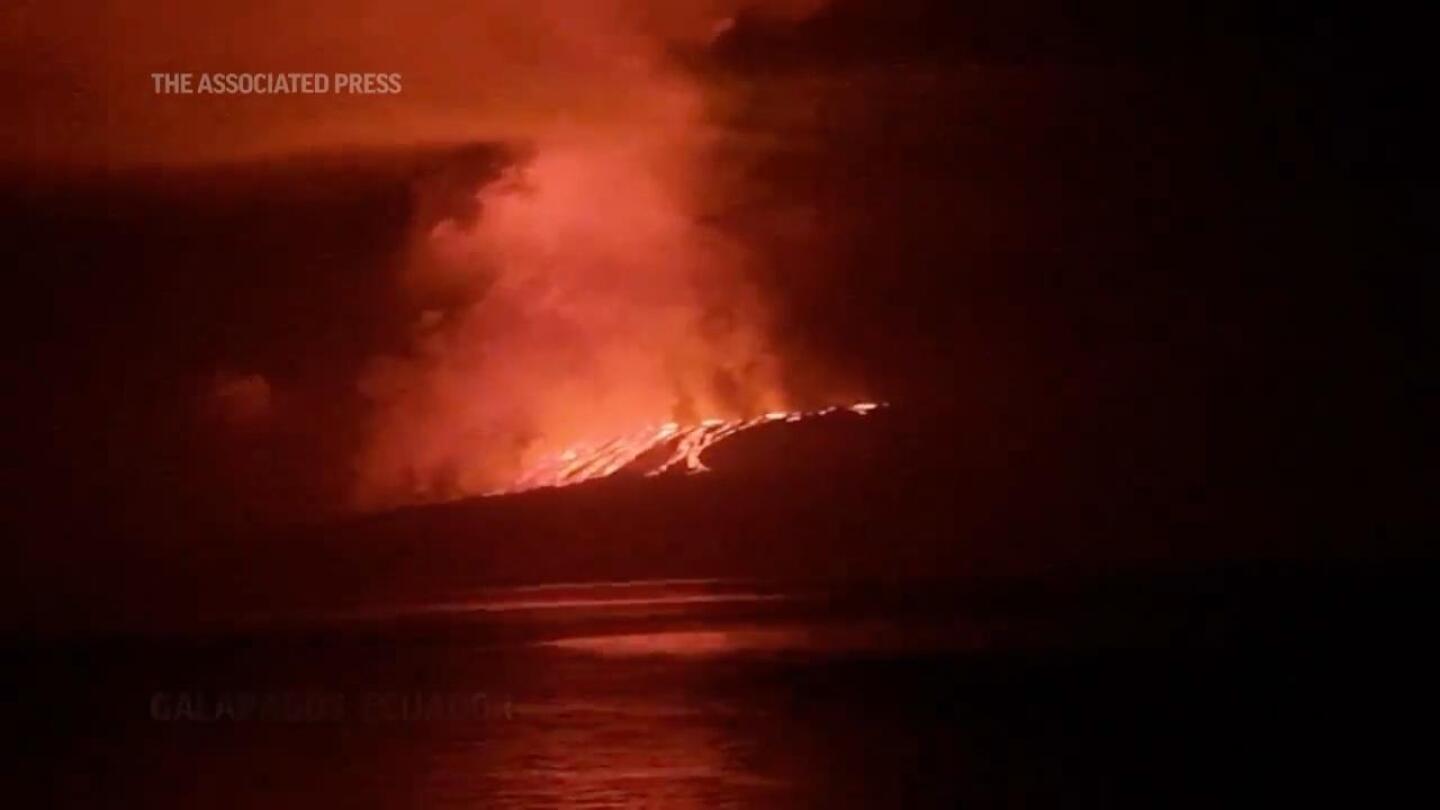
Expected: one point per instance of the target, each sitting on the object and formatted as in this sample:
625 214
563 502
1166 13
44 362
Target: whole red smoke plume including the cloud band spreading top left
578 292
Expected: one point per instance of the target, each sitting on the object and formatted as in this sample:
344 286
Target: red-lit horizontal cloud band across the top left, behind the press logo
80 89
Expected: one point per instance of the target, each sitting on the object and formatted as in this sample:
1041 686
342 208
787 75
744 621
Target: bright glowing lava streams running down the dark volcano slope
672 446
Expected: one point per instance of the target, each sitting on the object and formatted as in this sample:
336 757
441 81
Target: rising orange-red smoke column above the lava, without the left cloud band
581 292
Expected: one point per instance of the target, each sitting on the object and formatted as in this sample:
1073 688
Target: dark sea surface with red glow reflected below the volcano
722 694
